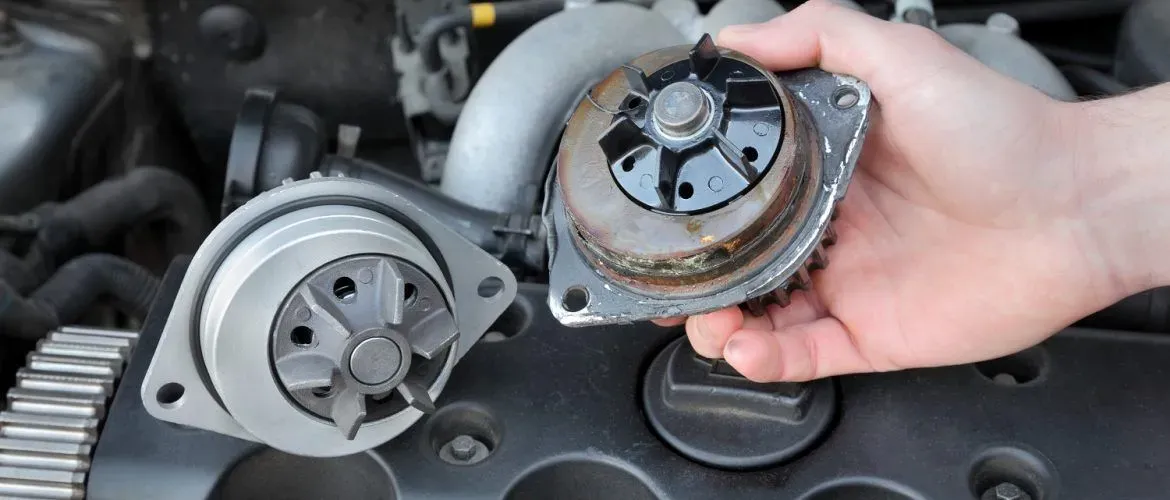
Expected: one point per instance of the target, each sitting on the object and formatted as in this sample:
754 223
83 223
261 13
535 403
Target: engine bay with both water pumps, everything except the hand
412 250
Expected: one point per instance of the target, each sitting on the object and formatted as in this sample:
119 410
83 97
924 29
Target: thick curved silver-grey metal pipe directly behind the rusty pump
504 142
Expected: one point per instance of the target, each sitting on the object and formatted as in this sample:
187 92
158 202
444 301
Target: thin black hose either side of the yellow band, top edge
428 39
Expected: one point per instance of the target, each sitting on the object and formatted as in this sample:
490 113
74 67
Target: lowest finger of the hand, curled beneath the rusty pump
806 352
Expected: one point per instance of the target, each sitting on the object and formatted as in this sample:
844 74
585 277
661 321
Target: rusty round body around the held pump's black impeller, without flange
685 251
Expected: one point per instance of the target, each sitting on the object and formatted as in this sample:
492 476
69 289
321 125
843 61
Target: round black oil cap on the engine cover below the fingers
711 414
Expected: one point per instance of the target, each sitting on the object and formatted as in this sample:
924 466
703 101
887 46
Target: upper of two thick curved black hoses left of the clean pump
114 207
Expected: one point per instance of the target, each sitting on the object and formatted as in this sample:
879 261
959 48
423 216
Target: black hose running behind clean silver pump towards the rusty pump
514 239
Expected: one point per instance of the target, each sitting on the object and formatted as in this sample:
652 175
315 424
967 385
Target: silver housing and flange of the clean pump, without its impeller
240 279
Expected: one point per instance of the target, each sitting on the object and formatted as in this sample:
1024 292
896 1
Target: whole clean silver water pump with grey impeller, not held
322 319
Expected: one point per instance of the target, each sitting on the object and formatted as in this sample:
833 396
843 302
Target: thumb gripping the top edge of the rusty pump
835 38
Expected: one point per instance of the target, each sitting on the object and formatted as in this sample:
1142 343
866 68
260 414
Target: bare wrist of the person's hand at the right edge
1119 156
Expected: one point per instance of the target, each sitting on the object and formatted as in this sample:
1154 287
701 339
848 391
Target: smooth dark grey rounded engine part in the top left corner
54 73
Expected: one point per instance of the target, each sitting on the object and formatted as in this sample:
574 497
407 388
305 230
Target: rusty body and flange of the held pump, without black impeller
615 261
